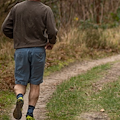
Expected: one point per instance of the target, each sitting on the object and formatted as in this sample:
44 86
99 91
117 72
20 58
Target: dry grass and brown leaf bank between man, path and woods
77 44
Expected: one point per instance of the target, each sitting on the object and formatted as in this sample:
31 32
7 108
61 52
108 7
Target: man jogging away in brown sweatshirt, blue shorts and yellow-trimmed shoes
31 25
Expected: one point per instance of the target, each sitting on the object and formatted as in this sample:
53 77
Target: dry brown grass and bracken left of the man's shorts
6 63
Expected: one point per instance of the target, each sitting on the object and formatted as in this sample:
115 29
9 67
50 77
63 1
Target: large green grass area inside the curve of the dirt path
77 96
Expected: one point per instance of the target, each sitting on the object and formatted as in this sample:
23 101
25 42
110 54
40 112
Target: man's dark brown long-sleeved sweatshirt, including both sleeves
30 24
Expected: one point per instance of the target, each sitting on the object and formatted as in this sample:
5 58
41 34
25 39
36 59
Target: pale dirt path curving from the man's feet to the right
50 83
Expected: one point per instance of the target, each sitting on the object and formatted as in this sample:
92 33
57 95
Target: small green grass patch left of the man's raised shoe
7 98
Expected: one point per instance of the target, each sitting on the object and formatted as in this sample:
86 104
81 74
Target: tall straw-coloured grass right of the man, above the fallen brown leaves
93 38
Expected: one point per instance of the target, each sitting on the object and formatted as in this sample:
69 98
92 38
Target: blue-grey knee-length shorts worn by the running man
29 65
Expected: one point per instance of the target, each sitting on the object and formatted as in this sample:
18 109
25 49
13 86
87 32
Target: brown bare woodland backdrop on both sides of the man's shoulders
95 10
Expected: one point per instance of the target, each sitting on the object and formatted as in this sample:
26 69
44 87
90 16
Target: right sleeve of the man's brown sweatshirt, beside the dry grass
51 27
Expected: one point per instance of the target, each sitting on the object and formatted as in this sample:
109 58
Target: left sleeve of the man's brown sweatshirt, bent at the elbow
7 26
